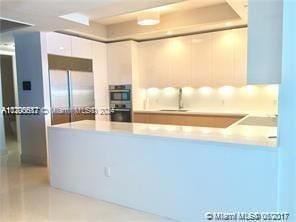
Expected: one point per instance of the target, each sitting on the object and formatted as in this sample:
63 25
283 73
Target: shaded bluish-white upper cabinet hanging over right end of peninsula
265 41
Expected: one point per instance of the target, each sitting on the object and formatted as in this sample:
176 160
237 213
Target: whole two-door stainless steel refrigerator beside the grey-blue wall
71 94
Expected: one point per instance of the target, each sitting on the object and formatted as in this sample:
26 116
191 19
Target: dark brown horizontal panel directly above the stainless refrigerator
69 63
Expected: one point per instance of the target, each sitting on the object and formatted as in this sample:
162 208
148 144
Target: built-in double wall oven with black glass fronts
120 103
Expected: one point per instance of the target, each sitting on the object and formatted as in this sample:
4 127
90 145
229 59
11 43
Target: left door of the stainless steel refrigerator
59 96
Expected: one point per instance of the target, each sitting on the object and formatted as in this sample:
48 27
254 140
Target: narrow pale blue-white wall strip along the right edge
287 110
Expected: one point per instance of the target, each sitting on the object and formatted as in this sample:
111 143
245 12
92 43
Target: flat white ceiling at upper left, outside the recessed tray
44 14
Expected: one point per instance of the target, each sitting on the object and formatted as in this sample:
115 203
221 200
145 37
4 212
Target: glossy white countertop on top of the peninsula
237 134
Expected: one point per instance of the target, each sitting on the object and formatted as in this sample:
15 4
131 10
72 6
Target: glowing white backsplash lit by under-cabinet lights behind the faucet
261 99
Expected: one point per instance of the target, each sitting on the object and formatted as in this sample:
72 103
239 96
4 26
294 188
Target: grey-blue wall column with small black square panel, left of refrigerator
31 60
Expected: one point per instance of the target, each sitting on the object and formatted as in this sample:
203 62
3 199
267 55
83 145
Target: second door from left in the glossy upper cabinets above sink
178 52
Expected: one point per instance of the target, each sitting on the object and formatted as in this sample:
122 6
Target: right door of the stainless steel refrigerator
82 100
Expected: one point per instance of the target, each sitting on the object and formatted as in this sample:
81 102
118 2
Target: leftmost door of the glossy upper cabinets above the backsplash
154 64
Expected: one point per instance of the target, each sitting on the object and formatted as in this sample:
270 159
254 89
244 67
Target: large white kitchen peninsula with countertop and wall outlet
129 163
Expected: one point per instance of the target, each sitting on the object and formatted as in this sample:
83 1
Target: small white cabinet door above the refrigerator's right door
81 48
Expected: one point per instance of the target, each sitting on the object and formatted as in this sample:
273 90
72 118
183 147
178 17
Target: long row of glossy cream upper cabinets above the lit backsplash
211 59
